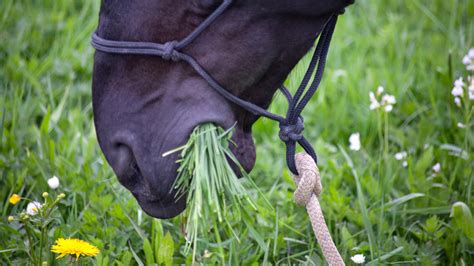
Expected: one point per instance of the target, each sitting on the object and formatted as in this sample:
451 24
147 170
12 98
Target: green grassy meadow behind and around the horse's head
388 210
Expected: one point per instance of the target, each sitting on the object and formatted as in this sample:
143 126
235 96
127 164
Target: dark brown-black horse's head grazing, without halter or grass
145 106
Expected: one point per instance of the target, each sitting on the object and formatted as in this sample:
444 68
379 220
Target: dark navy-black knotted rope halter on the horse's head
291 126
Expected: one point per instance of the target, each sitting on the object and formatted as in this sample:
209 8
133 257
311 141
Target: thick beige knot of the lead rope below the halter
308 181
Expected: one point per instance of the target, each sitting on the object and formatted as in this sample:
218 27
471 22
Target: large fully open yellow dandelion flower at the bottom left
74 246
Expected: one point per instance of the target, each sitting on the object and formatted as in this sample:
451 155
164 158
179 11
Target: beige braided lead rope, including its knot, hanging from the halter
306 194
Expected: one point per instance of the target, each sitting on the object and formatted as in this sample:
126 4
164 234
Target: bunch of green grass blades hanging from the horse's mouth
214 193
